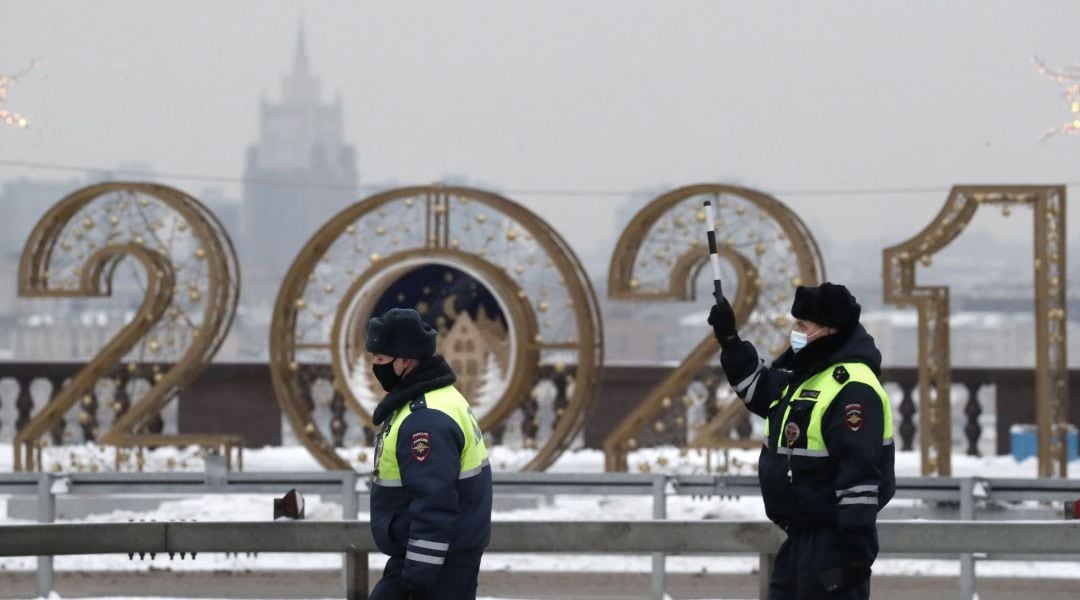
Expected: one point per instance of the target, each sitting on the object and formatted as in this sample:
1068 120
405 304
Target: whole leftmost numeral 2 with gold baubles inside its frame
190 282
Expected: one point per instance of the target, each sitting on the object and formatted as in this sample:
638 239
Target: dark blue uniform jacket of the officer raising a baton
859 463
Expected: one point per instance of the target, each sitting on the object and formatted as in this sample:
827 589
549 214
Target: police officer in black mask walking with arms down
431 502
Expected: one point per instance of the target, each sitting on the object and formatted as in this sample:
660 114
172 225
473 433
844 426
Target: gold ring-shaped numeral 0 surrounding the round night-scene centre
448 223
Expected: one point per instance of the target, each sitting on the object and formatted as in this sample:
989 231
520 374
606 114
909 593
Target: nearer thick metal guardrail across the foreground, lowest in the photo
625 538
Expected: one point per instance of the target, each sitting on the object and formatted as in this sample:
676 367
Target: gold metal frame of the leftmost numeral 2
38 278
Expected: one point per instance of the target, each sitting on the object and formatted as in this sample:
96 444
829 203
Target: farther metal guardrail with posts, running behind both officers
961 493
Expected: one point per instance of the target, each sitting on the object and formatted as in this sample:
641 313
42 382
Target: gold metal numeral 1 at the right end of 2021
899 266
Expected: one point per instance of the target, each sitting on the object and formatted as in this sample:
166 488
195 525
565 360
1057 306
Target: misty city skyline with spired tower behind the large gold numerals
302 169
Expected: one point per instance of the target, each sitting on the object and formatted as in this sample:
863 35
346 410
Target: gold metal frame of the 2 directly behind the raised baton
676 222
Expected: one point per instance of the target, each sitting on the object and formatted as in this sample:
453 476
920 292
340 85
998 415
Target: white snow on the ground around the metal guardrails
565 508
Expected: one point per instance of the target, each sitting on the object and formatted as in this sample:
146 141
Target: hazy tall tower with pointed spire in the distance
298 176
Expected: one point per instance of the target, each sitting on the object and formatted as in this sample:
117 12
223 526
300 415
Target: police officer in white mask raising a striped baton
827 466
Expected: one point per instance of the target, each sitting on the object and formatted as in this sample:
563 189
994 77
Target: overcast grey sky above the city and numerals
611 97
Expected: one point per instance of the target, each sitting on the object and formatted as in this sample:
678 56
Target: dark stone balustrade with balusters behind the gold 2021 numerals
252 412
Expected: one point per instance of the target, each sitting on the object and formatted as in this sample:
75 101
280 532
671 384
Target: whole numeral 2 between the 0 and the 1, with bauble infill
658 258
